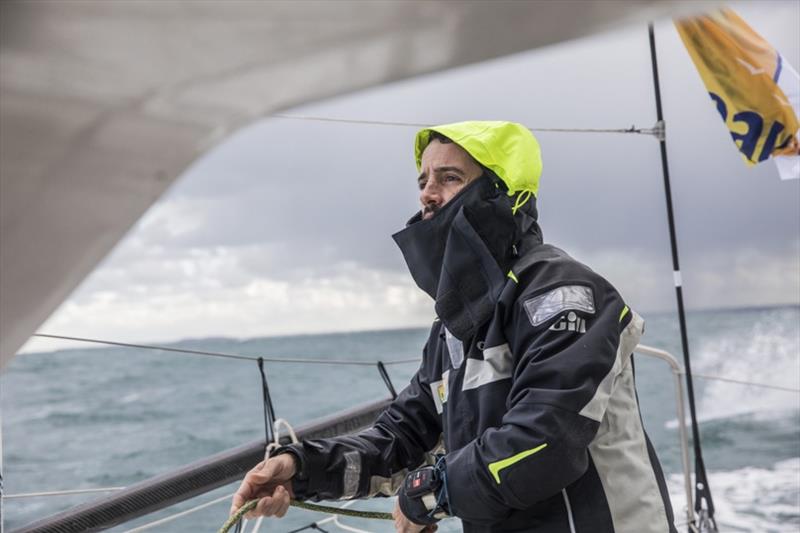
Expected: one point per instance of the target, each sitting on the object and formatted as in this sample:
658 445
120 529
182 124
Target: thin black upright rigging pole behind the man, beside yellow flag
704 513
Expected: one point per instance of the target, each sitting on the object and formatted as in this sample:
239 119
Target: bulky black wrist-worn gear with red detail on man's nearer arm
423 495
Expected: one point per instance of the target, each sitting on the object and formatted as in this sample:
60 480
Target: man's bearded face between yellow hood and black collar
446 169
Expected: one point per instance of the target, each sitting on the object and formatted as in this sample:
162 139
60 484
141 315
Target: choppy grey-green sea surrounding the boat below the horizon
106 417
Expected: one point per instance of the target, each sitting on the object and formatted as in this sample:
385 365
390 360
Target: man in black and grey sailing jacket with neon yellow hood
526 386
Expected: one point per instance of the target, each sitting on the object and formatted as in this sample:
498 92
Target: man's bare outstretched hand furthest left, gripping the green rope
271 482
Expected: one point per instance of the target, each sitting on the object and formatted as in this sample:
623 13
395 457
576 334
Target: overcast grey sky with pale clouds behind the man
286 227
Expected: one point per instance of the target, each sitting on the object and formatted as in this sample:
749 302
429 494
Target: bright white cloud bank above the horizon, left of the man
202 293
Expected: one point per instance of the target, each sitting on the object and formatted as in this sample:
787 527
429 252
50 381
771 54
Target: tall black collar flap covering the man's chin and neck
461 255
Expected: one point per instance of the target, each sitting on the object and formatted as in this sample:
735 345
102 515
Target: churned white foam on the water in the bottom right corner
750 499
